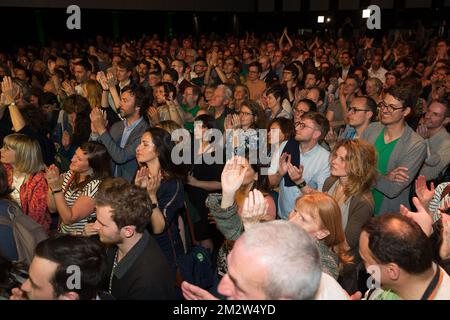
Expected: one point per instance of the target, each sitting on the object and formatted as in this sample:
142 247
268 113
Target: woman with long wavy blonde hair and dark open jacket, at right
353 174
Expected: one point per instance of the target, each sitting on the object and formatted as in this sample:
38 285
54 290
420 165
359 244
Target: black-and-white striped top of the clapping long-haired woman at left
71 196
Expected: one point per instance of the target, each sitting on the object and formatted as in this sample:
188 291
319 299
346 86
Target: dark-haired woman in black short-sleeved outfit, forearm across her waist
204 178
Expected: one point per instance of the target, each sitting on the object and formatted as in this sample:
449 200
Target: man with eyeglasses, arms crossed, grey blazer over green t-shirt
401 151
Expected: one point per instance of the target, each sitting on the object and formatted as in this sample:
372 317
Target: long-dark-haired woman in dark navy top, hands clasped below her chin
164 182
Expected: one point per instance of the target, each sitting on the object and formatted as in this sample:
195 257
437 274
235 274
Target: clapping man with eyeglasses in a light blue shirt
304 165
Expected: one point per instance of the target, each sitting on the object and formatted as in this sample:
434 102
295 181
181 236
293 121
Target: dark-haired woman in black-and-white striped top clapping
73 195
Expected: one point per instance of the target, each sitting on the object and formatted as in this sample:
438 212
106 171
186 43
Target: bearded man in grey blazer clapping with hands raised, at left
123 137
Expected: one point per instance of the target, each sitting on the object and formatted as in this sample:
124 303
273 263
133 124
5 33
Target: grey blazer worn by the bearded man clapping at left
123 158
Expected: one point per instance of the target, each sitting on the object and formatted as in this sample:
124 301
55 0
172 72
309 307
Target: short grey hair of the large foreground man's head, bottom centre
291 257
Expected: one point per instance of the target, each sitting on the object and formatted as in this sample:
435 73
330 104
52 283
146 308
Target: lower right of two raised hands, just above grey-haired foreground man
254 209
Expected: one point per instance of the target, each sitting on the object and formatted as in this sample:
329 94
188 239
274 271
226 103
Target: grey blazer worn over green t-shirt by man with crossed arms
410 151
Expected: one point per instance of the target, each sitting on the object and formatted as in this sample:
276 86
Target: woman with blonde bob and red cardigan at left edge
22 159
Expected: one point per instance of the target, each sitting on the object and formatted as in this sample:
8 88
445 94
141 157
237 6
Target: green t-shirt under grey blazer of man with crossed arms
384 151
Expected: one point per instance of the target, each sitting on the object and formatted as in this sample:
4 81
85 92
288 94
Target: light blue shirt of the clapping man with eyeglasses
316 169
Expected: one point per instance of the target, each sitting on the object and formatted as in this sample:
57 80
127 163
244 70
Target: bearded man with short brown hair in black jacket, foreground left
136 266
